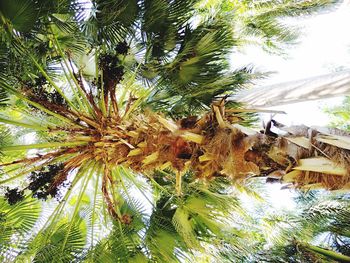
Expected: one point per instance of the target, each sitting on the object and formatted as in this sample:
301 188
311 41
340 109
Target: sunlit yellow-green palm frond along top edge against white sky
262 22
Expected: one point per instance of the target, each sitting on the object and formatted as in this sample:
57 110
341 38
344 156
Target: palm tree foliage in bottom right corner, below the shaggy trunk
318 232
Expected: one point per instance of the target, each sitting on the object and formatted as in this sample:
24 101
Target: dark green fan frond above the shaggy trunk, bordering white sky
199 72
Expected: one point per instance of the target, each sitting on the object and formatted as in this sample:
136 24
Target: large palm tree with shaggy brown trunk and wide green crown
131 141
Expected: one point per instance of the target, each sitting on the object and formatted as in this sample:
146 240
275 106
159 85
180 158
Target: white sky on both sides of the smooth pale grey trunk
323 47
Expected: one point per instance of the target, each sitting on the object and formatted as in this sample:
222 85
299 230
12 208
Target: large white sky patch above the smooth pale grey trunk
324 46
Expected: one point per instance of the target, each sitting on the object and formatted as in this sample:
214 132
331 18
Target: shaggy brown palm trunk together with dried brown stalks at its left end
210 146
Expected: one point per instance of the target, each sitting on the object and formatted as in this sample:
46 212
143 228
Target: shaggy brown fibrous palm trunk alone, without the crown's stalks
213 146
